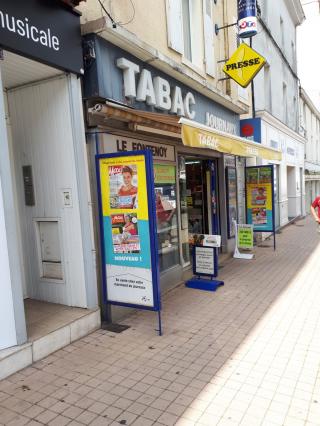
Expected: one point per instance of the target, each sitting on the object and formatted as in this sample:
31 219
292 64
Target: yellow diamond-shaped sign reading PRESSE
244 65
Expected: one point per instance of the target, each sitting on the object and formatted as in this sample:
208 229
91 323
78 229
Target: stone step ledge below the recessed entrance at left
50 328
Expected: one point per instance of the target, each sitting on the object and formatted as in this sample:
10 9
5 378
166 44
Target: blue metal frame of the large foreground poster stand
152 232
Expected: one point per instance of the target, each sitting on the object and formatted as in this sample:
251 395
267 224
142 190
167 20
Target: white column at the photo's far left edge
12 316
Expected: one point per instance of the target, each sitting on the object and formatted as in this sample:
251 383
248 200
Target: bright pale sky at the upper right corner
308 51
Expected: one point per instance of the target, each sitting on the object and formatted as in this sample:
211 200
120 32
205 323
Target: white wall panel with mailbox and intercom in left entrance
43 138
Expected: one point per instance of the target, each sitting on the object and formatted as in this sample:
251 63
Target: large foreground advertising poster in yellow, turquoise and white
125 223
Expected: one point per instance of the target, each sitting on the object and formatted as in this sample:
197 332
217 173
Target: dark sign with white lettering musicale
43 30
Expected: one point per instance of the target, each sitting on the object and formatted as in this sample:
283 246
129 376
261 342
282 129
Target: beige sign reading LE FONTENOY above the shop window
113 143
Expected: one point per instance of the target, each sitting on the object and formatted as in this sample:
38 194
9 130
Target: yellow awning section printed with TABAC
218 141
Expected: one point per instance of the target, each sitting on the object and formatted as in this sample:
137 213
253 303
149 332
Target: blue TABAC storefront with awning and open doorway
132 105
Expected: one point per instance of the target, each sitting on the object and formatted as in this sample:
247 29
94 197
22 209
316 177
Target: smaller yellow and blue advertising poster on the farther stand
259 198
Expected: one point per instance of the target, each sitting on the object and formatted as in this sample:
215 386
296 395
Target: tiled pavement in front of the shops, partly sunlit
248 354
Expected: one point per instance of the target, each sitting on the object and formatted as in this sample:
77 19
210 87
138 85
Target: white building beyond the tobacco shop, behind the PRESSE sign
277 101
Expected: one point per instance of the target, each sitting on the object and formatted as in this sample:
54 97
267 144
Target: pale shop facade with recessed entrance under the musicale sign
47 253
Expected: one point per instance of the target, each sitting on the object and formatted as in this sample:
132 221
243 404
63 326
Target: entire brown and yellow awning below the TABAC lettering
193 134
